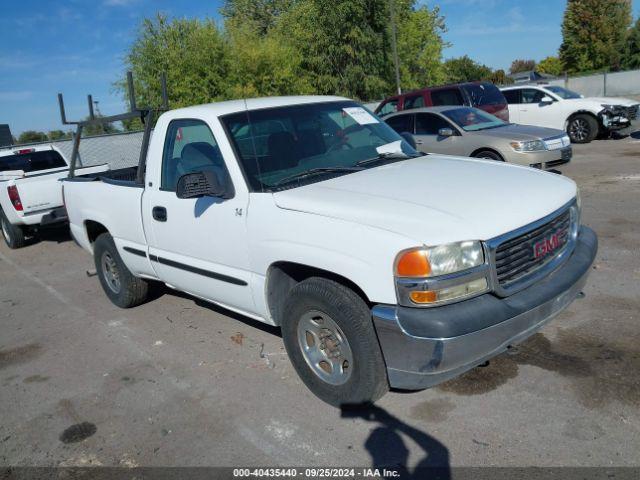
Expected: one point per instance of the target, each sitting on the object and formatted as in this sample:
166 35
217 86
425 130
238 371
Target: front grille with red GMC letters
523 255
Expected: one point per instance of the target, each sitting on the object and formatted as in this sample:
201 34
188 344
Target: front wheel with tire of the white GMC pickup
330 339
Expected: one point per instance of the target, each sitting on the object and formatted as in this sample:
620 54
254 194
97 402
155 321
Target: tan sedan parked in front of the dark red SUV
469 132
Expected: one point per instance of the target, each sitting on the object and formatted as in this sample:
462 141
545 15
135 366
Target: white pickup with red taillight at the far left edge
30 190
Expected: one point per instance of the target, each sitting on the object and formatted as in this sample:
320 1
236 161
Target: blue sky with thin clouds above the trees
77 46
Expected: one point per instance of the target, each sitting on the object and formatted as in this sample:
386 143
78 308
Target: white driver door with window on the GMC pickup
197 245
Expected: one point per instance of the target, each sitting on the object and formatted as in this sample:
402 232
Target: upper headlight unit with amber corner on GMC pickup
440 260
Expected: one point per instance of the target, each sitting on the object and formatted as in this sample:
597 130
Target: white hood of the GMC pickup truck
436 199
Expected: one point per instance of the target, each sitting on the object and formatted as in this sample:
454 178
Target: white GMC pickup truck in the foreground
383 267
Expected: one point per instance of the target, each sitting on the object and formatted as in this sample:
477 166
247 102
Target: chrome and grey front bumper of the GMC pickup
424 347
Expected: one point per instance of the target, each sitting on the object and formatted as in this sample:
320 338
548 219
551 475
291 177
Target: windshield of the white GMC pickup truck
285 147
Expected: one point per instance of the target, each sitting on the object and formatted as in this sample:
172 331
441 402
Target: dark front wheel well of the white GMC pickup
283 276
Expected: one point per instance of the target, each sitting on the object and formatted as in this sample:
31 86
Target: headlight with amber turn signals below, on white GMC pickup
430 276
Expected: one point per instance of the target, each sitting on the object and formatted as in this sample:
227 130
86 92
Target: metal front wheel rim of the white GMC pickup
325 347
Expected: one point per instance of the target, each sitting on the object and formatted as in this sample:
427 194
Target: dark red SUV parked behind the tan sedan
483 95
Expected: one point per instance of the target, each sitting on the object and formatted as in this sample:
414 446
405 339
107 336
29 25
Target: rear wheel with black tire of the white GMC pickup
122 288
